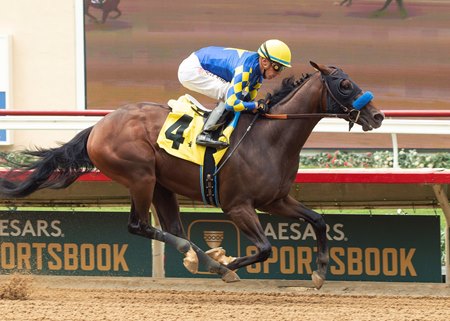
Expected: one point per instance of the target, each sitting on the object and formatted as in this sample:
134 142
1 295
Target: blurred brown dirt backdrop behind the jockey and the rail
404 62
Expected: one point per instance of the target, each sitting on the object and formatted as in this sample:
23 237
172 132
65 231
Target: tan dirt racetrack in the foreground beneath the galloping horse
56 298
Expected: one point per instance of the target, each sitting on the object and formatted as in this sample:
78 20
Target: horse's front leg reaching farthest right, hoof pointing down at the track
291 208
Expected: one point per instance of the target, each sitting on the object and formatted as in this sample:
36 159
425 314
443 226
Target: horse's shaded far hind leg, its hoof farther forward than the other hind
166 206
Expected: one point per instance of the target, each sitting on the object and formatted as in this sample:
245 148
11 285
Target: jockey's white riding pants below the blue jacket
192 76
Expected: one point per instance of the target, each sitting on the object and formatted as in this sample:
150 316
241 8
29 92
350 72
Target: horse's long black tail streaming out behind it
48 168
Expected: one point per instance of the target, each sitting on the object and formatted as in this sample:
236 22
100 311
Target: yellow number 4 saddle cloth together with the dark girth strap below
177 137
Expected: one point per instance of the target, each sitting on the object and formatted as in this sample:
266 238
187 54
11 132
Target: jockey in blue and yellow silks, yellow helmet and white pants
232 76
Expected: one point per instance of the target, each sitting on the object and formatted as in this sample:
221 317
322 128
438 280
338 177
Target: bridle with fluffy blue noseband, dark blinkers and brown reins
336 100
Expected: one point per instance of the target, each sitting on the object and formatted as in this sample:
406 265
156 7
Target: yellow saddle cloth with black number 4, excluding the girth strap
182 125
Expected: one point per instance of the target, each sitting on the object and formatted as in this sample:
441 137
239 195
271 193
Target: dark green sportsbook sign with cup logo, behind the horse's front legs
361 247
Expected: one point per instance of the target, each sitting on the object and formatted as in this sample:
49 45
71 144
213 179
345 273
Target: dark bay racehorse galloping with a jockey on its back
256 173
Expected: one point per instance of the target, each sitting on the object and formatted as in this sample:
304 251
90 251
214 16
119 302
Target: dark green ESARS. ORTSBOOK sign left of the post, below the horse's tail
72 243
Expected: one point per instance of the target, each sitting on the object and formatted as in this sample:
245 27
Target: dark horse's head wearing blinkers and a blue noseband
344 96
